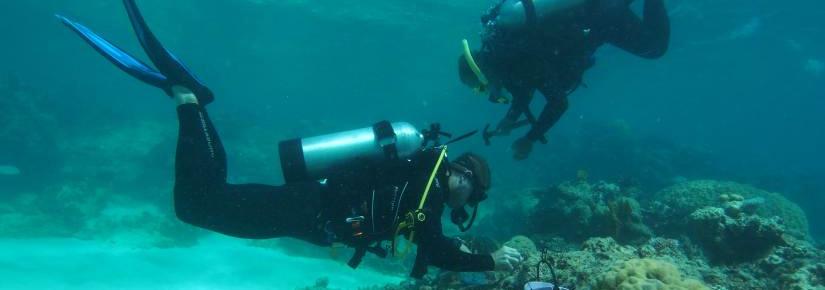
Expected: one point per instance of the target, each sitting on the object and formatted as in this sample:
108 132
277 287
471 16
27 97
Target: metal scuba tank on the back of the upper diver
513 15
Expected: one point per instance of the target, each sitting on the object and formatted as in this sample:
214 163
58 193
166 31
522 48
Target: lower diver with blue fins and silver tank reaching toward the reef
361 187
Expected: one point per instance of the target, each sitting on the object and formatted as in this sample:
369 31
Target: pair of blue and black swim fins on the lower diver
170 70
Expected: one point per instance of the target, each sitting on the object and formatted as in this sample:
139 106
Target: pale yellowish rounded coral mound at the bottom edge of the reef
645 274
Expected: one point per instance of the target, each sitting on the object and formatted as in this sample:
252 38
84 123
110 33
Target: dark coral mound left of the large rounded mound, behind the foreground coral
580 210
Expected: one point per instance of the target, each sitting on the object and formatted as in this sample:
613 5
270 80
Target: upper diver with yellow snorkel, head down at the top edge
547 45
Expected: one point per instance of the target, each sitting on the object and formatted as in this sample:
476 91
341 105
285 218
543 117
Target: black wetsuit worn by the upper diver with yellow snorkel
552 54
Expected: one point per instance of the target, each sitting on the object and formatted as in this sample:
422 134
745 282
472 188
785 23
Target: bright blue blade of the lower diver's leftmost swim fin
117 56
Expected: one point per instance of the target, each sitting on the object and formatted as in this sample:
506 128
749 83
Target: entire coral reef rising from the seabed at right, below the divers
732 236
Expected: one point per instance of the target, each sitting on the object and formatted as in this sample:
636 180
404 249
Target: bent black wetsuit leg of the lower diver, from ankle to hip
203 198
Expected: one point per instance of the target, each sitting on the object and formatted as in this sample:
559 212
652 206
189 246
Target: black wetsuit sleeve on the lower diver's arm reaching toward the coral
437 250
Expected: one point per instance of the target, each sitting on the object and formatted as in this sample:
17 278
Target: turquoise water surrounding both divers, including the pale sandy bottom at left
740 96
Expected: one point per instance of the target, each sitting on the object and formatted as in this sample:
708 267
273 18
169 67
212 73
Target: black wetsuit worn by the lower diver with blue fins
312 211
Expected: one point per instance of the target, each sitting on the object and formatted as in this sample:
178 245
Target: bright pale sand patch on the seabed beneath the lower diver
216 263
